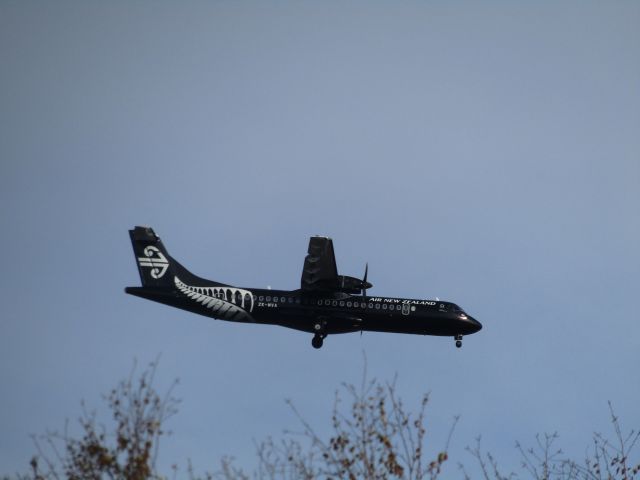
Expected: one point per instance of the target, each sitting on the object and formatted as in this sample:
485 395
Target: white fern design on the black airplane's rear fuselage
222 301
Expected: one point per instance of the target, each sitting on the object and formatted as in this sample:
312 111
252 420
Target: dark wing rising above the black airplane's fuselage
319 271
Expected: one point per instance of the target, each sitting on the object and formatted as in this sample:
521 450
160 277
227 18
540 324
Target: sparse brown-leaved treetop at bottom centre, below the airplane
374 437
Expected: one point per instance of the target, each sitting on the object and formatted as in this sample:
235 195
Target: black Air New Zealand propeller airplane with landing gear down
325 304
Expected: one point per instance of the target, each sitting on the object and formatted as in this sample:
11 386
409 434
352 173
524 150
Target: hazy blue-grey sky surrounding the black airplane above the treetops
486 153
